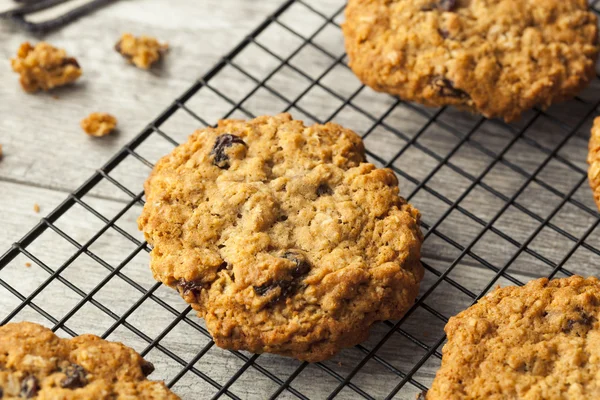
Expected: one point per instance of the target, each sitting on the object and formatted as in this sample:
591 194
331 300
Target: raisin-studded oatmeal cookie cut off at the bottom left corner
37 364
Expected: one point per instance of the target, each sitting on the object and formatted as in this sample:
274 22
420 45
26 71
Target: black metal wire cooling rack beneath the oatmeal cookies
404 354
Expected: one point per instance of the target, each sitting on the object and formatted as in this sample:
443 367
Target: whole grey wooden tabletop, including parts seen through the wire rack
529 210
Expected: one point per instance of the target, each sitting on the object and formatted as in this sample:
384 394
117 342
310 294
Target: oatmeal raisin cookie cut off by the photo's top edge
495 57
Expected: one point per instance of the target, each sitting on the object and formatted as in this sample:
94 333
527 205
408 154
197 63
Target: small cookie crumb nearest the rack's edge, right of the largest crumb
141 51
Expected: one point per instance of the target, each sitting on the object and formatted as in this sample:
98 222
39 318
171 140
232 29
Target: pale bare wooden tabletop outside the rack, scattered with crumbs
46 154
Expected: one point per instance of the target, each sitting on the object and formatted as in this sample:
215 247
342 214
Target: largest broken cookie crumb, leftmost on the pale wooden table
44 67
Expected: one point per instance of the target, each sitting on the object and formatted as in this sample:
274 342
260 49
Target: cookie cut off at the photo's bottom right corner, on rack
536 342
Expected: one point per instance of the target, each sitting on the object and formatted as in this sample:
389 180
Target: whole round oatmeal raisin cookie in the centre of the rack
281 236
